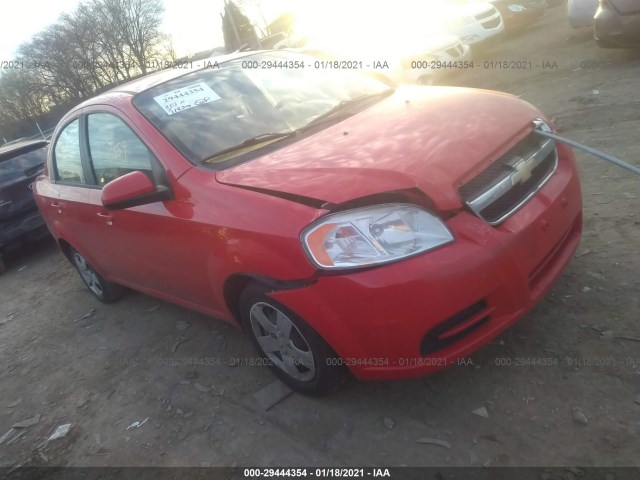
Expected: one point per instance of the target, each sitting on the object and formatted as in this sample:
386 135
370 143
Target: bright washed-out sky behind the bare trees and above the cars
195 25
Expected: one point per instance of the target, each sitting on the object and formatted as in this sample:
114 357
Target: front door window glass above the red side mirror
115 149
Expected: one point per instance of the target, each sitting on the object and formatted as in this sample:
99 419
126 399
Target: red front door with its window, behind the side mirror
145 247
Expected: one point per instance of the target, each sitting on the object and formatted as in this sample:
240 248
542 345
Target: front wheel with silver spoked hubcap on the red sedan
294 351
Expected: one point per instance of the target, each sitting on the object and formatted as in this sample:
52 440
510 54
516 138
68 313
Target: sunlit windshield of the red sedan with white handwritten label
214 110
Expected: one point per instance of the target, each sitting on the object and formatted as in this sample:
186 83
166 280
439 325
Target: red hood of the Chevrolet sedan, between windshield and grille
431 138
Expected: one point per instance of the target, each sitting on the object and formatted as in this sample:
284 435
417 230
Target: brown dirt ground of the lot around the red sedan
70 359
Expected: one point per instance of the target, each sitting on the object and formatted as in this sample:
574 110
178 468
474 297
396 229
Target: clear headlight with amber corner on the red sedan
372 235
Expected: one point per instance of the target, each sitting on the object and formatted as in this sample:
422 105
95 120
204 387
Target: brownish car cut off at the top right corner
617 24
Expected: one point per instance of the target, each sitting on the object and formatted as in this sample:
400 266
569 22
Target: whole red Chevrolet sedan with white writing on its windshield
344 225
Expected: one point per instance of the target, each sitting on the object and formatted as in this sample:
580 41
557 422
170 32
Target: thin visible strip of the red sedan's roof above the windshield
153 79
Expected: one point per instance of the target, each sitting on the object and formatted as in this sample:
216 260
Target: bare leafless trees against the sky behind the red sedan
100 44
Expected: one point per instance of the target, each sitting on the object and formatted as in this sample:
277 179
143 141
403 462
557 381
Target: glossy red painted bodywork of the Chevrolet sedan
186 249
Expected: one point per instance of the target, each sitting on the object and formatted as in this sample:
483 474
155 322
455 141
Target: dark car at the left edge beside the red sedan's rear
20 220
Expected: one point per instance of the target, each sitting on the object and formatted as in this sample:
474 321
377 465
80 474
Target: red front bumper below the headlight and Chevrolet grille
381 322
